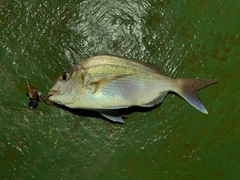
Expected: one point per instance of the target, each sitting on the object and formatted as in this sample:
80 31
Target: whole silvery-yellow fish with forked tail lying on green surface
106 83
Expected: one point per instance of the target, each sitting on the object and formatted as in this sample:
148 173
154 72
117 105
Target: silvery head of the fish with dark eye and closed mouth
68 87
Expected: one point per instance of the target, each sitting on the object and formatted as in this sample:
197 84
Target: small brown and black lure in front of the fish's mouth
33 96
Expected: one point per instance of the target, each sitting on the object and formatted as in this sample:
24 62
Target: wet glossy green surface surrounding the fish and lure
40 39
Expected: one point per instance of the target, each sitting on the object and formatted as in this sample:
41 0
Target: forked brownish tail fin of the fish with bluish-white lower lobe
187 89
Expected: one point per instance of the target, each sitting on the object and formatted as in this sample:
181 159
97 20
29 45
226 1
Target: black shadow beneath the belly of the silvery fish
123 112
